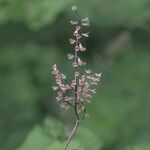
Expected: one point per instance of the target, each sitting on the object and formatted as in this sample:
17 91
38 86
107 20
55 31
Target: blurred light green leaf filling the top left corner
34 13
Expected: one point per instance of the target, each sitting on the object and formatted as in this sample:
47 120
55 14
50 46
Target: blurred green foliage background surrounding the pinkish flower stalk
34 35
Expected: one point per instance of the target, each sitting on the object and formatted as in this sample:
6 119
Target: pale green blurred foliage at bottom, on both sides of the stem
50 136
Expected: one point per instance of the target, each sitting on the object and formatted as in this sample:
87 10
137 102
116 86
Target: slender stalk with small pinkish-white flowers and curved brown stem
82 87
